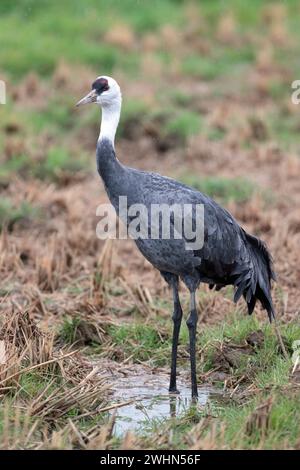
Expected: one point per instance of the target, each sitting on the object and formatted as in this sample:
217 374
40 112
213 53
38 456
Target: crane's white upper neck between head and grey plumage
110 120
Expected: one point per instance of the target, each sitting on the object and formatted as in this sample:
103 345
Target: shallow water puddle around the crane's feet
147 391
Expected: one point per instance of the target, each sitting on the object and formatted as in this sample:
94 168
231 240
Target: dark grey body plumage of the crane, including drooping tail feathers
229 256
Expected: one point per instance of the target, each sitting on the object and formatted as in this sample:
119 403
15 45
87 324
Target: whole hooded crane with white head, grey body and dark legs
229 254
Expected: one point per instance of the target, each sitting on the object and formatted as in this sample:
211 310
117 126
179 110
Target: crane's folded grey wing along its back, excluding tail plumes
224 252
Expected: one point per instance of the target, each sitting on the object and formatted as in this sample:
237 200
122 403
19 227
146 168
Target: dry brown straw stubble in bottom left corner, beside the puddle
62 381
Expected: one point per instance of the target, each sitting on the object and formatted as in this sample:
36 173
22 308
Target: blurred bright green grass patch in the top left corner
56 32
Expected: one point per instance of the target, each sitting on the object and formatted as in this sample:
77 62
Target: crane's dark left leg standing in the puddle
177 316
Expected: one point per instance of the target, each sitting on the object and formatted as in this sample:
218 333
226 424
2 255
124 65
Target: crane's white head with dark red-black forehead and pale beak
105 91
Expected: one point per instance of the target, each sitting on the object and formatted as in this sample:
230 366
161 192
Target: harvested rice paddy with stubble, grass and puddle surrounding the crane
85 324
